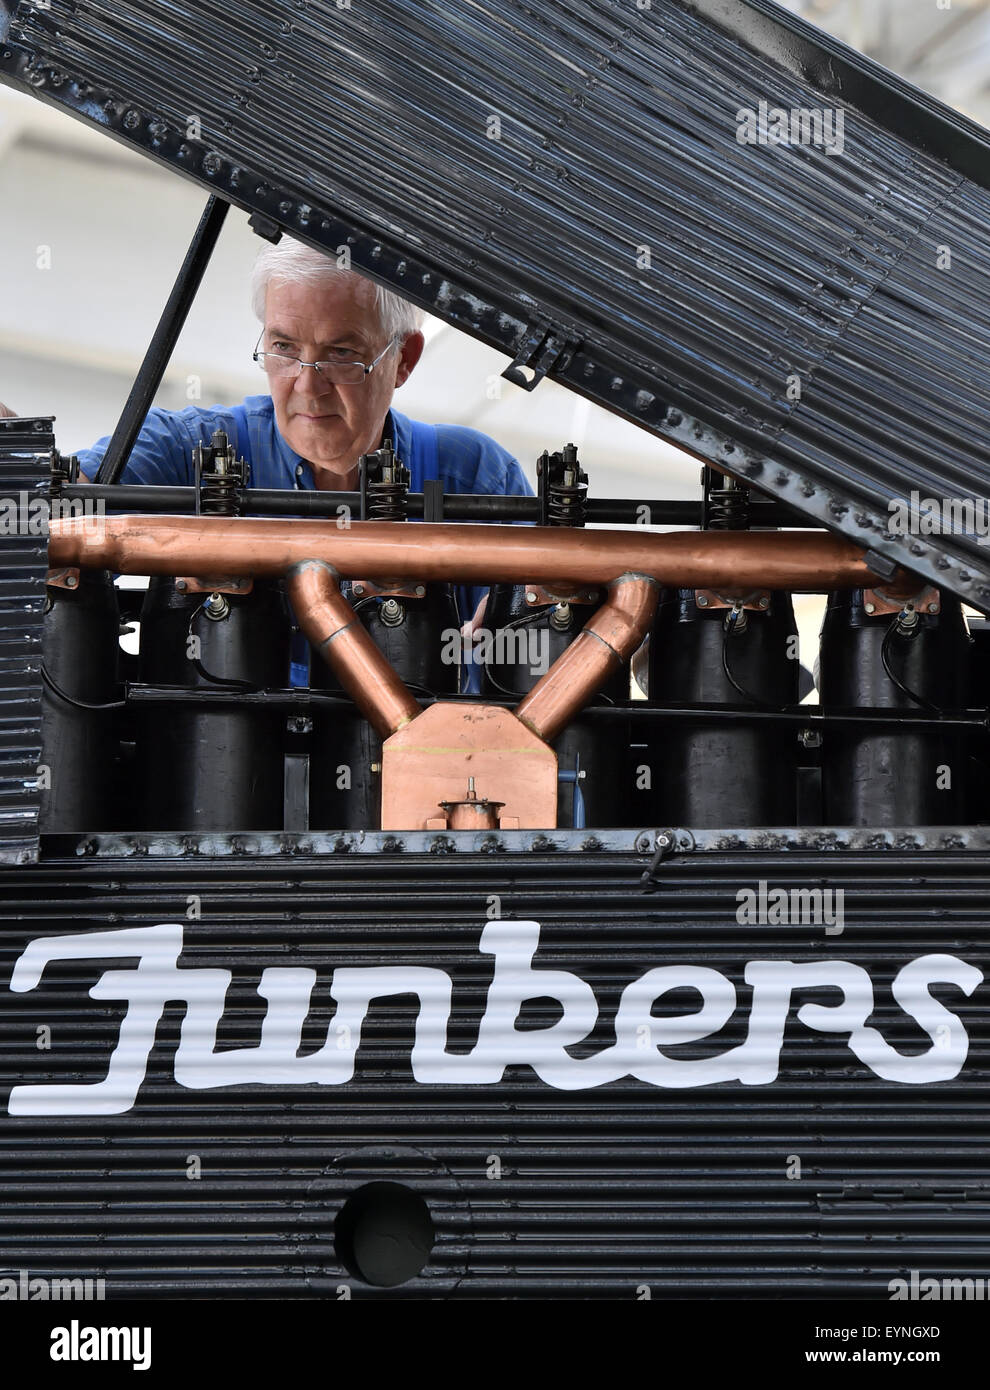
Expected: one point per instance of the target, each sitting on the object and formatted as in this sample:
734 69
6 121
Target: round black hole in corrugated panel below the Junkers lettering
384 1235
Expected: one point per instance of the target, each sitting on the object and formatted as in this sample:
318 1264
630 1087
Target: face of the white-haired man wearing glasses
333 426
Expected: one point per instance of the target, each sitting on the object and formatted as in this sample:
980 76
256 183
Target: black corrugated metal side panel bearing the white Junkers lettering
601 1191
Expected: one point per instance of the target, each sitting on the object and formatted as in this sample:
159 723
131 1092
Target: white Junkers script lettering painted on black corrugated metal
156 979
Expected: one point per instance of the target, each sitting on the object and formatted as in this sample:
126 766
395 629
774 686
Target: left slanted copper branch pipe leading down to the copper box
336 630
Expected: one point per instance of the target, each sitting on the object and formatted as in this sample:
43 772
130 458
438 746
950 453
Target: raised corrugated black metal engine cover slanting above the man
508 165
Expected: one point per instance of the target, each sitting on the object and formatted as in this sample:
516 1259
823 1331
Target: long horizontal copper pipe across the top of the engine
457 553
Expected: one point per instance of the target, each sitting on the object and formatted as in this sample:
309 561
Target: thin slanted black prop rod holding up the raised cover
161 350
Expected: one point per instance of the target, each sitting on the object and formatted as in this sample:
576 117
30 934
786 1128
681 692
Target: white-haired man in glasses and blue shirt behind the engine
334 348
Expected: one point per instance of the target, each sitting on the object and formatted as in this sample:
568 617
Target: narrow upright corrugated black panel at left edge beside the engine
26 458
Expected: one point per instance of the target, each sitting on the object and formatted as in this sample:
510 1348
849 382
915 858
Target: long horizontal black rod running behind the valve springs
460 507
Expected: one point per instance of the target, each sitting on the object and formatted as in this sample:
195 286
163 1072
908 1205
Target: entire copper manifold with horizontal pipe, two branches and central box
429 762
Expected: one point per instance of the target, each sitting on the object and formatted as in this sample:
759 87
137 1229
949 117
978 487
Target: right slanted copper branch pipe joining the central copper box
606 643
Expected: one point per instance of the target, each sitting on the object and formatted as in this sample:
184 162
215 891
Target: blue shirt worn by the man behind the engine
462 459
